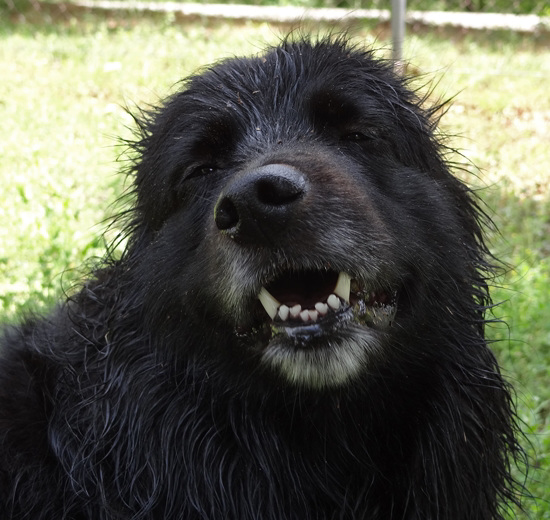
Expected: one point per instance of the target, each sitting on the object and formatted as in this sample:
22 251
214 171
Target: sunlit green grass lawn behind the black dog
63 86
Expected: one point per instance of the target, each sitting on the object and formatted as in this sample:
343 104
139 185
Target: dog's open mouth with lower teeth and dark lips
312 301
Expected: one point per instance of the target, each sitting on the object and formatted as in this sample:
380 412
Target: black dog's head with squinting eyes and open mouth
297 206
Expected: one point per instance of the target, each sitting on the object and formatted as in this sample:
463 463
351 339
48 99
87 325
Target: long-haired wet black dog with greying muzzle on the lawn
295 329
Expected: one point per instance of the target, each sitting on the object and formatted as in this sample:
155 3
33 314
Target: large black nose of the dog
257 206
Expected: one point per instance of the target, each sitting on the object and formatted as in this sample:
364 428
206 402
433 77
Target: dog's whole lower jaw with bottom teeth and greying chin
329 346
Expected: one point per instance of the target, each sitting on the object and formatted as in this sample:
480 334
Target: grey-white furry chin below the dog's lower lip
332 361
